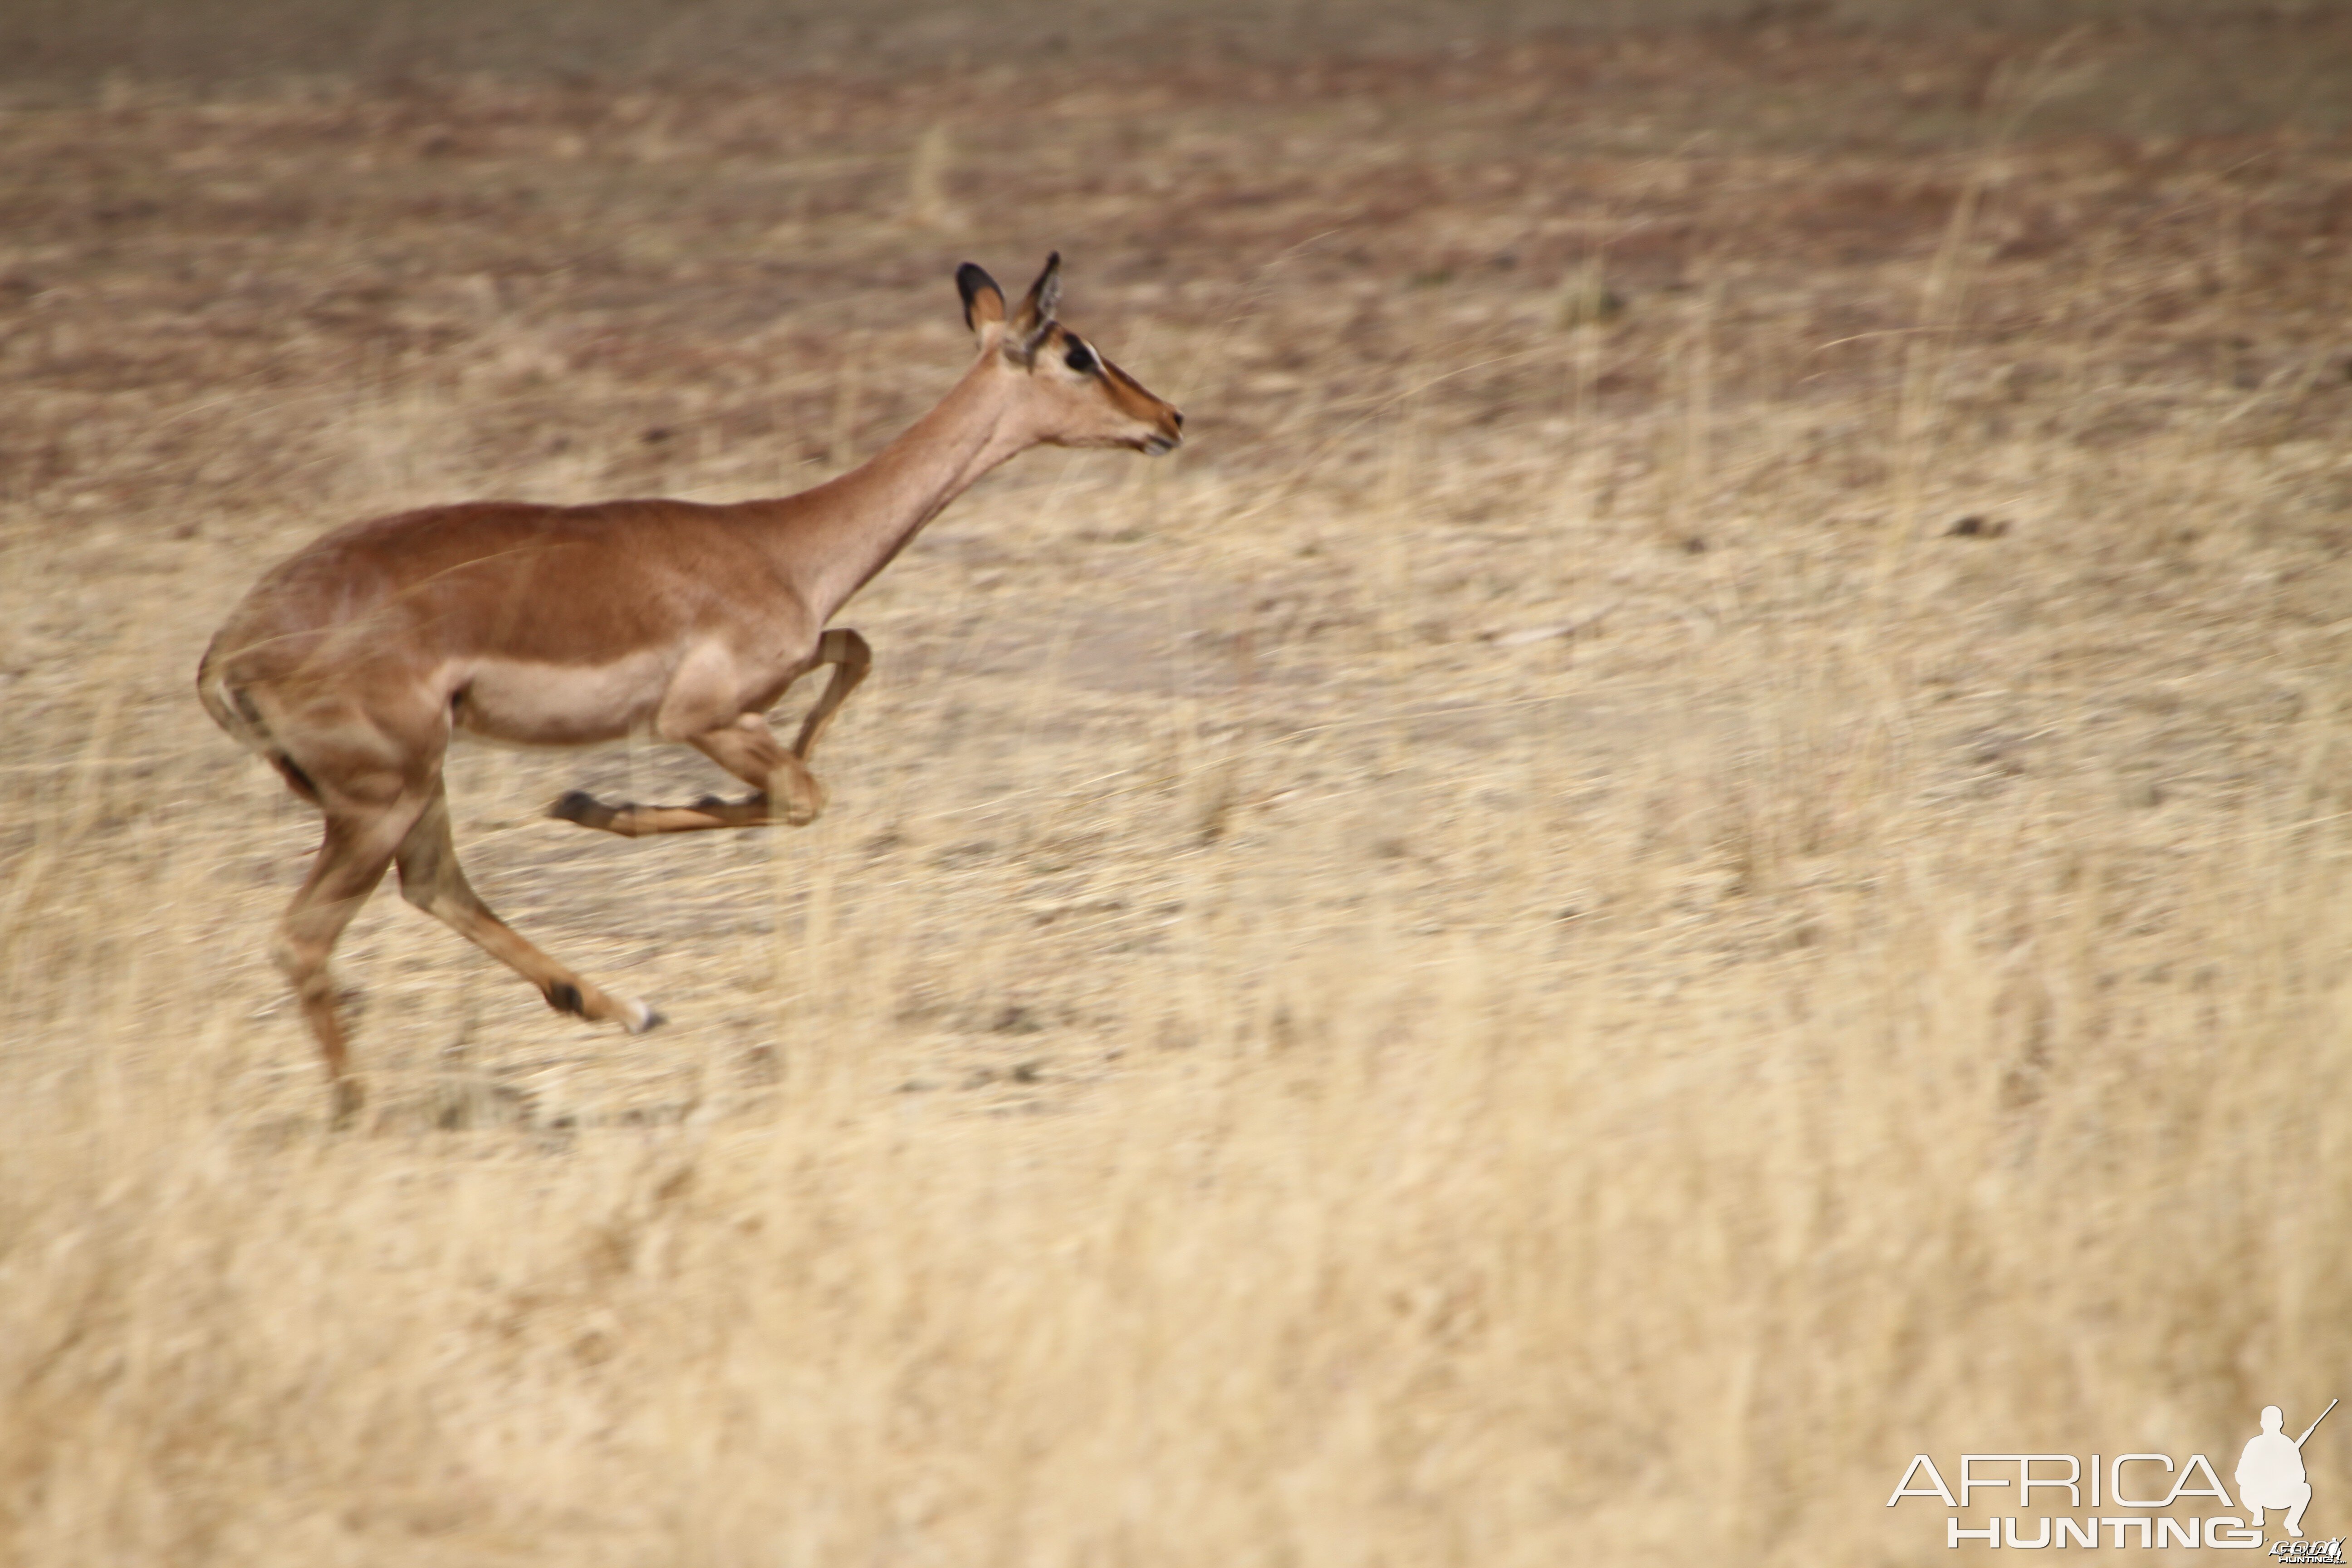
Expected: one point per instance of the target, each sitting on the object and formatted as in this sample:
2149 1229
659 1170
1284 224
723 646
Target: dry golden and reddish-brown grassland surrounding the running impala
1695 845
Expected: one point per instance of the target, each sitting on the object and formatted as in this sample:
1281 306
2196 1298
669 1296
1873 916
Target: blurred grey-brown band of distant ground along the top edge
58 51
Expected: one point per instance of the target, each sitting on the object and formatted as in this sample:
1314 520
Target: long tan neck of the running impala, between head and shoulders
869 514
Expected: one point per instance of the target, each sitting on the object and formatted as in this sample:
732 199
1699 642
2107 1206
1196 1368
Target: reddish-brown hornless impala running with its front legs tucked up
354 664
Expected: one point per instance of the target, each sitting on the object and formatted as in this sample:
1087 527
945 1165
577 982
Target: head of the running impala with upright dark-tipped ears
1076 396
